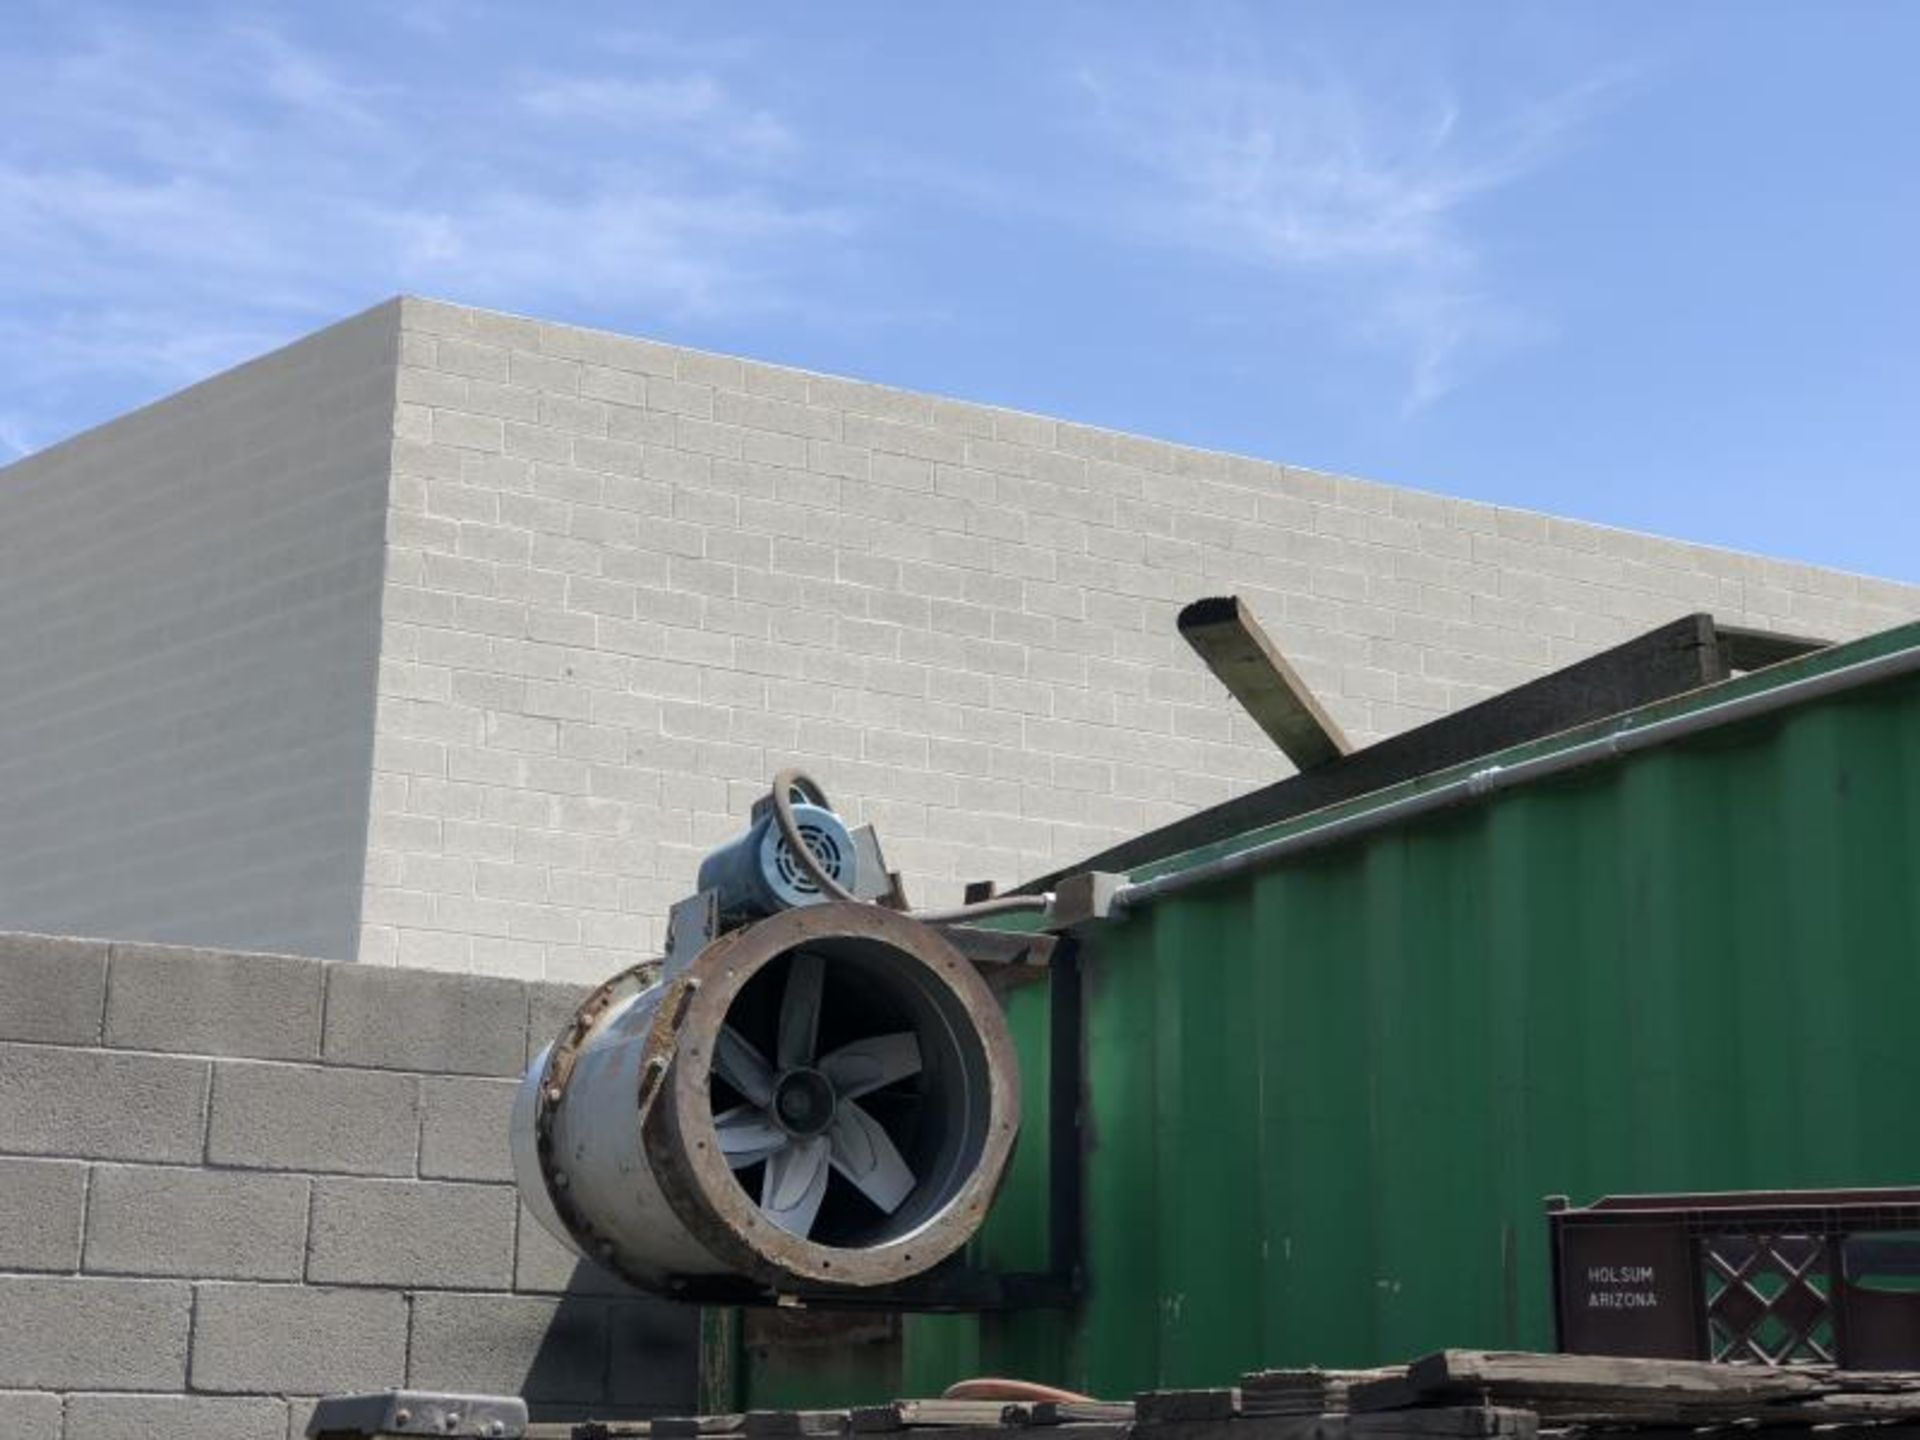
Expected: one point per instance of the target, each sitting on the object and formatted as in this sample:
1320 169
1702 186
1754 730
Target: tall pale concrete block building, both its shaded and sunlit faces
452 640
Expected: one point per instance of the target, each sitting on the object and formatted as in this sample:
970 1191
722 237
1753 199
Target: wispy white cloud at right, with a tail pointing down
1360 197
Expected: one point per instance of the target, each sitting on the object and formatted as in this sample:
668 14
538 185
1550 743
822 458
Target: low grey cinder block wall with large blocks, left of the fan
237 1182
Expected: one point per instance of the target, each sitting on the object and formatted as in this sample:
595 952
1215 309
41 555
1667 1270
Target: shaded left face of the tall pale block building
189 627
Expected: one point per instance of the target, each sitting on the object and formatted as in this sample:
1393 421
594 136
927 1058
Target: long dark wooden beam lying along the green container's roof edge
1660 665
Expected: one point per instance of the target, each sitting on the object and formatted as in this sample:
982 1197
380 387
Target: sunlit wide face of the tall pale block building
627 583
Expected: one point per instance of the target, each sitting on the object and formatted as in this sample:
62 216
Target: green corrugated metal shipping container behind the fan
1326 1099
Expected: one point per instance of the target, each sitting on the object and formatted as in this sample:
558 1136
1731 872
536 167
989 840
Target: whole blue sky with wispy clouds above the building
1643 264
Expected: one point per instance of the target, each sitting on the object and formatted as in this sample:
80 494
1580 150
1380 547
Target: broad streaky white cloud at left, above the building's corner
183 195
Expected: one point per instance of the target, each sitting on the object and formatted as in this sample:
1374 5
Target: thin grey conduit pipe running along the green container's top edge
1497 779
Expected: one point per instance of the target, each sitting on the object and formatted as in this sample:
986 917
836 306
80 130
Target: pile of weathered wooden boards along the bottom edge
1454 1395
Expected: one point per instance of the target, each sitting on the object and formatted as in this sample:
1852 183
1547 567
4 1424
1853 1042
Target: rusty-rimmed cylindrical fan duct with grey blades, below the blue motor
827 1097
